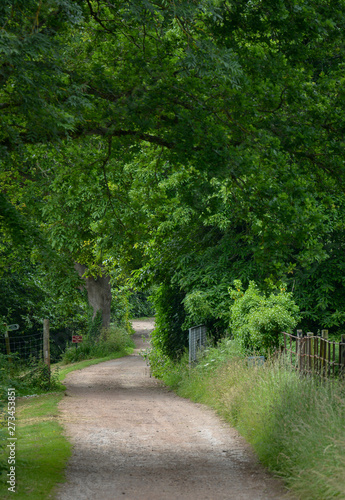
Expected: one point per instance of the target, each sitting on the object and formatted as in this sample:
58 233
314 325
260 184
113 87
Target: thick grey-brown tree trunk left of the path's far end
98 293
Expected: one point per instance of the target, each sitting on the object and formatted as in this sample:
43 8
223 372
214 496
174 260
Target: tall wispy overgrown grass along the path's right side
295 424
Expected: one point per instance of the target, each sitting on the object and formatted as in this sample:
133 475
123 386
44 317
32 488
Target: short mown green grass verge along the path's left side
42 451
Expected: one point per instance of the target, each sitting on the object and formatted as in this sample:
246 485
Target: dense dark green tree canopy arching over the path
173 145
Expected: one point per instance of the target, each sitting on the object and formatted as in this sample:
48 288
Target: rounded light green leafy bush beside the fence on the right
258 319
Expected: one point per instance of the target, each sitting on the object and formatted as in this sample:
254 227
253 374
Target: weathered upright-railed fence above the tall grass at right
315 354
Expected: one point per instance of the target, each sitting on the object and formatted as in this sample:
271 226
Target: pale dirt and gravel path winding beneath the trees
134 439
